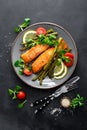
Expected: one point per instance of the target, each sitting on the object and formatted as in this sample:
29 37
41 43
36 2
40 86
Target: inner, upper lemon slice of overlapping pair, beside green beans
59 69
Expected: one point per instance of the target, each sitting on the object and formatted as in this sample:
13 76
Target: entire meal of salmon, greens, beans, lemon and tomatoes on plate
43 53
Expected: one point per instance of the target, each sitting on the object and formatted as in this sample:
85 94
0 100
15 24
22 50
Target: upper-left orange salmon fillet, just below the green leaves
32 53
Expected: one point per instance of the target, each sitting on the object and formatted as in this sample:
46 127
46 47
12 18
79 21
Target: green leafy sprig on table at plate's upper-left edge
23 25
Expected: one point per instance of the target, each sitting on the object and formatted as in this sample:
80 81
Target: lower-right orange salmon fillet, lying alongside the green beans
42 60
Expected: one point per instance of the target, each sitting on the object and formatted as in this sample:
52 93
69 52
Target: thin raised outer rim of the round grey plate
47 23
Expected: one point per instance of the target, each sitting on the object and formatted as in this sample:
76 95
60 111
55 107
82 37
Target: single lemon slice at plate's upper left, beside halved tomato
28 35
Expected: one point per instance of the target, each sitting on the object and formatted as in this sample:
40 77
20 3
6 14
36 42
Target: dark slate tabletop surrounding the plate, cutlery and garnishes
72 15
